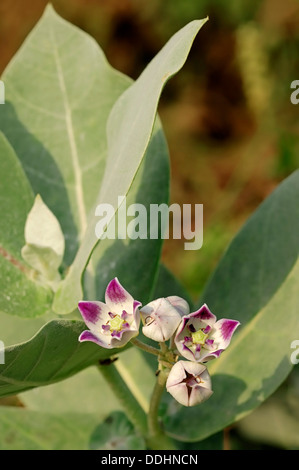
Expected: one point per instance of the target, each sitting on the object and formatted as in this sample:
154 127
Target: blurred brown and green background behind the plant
231 128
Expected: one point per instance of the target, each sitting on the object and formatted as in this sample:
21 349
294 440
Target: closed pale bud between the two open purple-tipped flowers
162 317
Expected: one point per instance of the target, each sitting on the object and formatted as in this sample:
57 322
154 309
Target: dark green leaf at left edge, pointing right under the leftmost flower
53 354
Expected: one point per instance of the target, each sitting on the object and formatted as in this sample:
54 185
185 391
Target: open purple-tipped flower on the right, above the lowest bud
201 338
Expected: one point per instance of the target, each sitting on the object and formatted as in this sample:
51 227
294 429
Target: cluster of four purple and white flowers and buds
197 336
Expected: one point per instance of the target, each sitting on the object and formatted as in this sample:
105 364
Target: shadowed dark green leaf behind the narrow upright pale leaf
114 257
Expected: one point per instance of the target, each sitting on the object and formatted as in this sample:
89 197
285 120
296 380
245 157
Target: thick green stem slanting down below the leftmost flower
132 408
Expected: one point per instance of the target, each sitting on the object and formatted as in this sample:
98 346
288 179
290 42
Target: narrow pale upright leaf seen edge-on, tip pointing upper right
129 130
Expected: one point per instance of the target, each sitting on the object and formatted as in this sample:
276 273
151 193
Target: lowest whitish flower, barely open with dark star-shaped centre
189 383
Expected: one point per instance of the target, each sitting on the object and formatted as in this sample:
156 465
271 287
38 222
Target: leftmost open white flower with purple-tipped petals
114 323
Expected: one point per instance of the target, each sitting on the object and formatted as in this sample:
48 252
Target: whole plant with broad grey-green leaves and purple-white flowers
75 133
